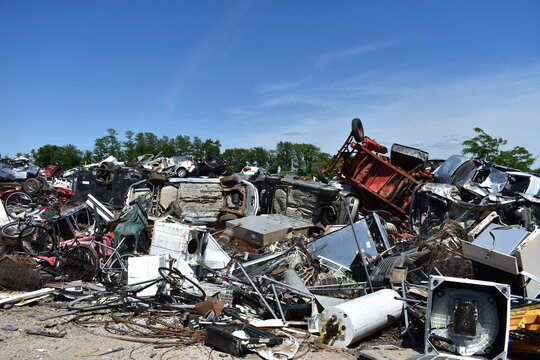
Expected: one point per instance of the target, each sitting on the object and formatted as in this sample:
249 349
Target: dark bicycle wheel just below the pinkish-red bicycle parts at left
81 263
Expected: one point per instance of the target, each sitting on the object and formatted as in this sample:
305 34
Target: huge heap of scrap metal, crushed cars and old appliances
417 257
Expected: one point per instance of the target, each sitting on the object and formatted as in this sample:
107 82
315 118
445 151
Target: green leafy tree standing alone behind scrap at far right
488 147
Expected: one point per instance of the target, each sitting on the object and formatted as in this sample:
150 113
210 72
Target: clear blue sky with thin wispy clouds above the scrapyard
252 73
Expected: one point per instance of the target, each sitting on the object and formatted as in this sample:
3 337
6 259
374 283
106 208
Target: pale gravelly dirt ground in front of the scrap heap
87 343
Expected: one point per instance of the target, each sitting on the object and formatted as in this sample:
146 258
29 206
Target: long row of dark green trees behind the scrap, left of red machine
301 159
